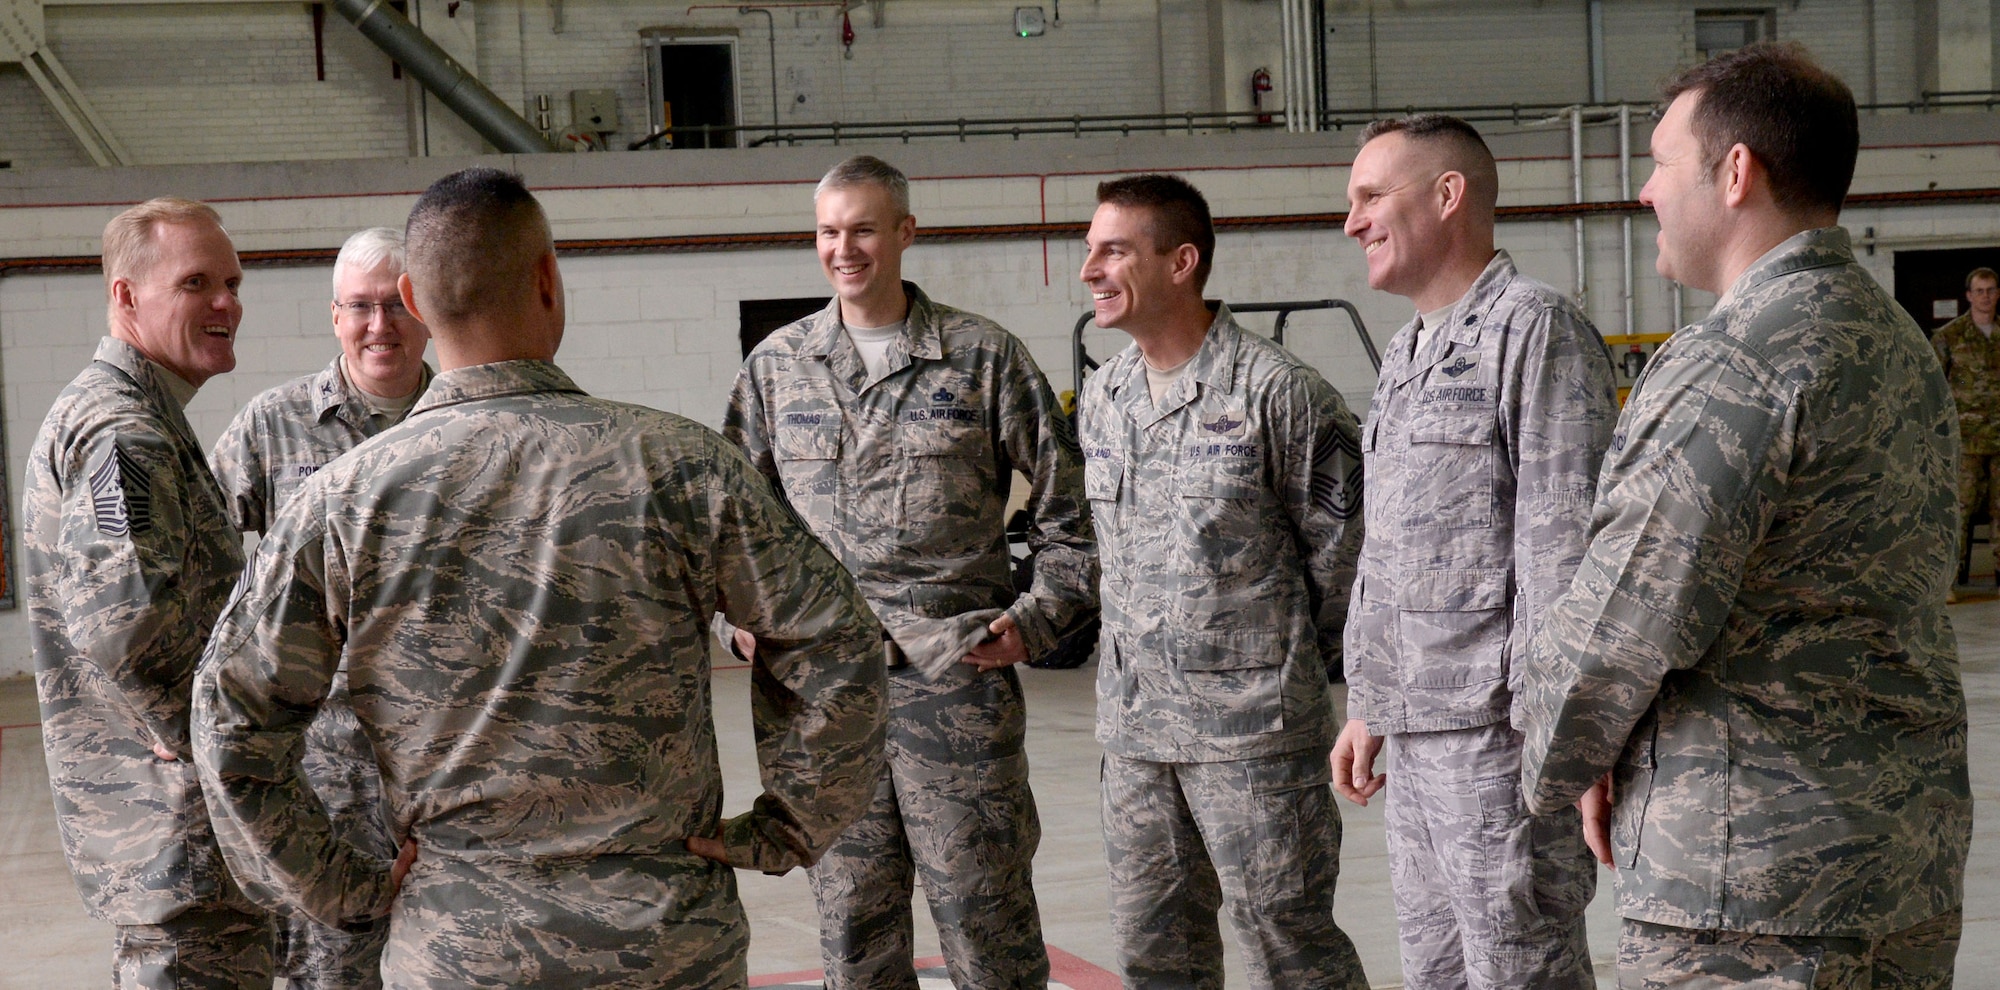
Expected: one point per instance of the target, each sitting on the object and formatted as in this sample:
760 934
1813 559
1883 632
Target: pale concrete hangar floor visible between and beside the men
47 941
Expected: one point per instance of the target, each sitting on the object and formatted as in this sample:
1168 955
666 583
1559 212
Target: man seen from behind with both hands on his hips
519 581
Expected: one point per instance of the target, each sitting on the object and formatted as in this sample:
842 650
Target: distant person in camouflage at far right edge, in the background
1971 361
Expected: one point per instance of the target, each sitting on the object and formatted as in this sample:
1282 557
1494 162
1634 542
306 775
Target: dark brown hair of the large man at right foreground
1795 117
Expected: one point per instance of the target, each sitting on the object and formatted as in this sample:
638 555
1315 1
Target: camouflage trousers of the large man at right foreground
1657 957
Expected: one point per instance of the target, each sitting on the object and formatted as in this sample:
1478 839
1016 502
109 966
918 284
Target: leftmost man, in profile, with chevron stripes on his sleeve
129 561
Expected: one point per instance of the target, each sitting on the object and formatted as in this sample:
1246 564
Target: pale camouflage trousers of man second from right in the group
1487 895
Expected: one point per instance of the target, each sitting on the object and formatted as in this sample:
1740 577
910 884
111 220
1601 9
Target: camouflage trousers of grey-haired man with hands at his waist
953 807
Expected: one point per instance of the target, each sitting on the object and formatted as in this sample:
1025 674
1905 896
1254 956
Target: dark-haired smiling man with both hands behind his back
1225 483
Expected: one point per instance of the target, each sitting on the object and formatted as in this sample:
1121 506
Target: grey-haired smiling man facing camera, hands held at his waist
893 425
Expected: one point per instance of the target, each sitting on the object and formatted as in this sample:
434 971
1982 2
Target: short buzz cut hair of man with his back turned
473 243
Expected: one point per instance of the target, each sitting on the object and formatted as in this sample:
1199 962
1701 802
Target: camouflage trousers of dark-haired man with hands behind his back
1257 837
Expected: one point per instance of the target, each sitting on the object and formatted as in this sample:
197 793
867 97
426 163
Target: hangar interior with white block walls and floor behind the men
1007 115
